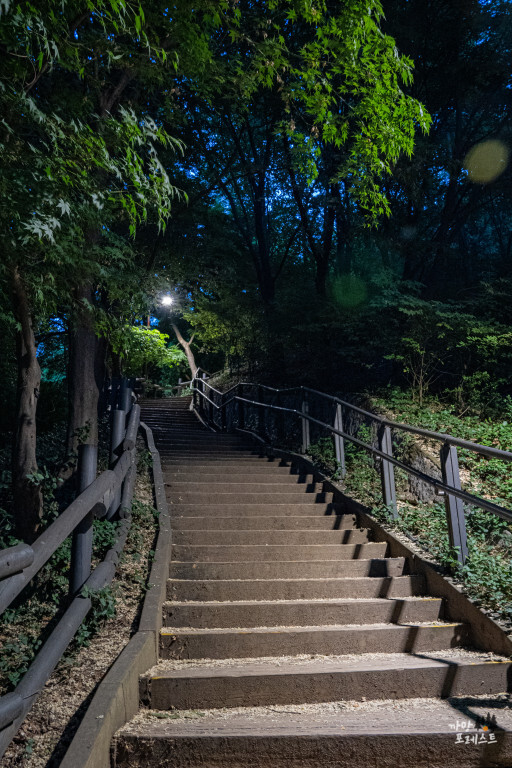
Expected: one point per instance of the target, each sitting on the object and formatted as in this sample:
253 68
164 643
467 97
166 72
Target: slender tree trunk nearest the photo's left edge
27 495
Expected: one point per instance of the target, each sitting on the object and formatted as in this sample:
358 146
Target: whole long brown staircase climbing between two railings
290 638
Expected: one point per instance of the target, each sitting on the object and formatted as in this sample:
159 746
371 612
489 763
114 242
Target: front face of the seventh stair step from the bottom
221 553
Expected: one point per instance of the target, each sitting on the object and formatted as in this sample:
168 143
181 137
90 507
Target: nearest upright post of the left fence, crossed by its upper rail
81 546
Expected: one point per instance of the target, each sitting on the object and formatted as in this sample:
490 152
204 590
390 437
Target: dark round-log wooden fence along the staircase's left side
107 495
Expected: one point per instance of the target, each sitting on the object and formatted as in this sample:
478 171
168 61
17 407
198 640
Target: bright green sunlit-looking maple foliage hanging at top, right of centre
336 72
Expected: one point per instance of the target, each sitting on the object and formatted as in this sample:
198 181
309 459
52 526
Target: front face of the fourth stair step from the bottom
246 613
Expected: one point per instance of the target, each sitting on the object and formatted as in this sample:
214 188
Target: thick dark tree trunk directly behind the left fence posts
86 372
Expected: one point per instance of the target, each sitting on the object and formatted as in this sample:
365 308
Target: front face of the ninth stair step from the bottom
263 523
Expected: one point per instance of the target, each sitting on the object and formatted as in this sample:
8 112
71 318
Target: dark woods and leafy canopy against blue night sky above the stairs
306 242
